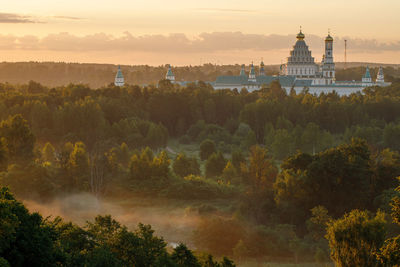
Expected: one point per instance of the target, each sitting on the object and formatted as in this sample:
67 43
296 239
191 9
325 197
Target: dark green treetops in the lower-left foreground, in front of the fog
29 240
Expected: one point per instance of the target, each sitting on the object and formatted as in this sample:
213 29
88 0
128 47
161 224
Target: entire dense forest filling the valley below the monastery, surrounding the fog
272 176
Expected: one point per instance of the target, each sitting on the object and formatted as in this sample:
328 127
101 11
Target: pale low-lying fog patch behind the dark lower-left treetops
173 222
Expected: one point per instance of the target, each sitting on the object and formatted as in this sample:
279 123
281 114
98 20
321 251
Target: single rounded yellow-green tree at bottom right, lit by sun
355 238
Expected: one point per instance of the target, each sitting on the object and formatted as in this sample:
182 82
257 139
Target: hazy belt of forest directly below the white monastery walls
150 116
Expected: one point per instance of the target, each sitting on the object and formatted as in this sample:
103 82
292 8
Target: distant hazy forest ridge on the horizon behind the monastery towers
96 75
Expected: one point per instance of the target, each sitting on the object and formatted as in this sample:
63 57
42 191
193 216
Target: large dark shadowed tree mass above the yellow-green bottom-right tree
328 179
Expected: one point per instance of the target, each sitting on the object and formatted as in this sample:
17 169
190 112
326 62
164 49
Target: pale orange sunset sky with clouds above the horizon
182 32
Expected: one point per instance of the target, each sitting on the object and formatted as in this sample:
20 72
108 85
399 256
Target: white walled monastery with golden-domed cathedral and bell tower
300 72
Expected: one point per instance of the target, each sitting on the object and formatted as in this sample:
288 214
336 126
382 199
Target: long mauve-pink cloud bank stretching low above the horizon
179 43
